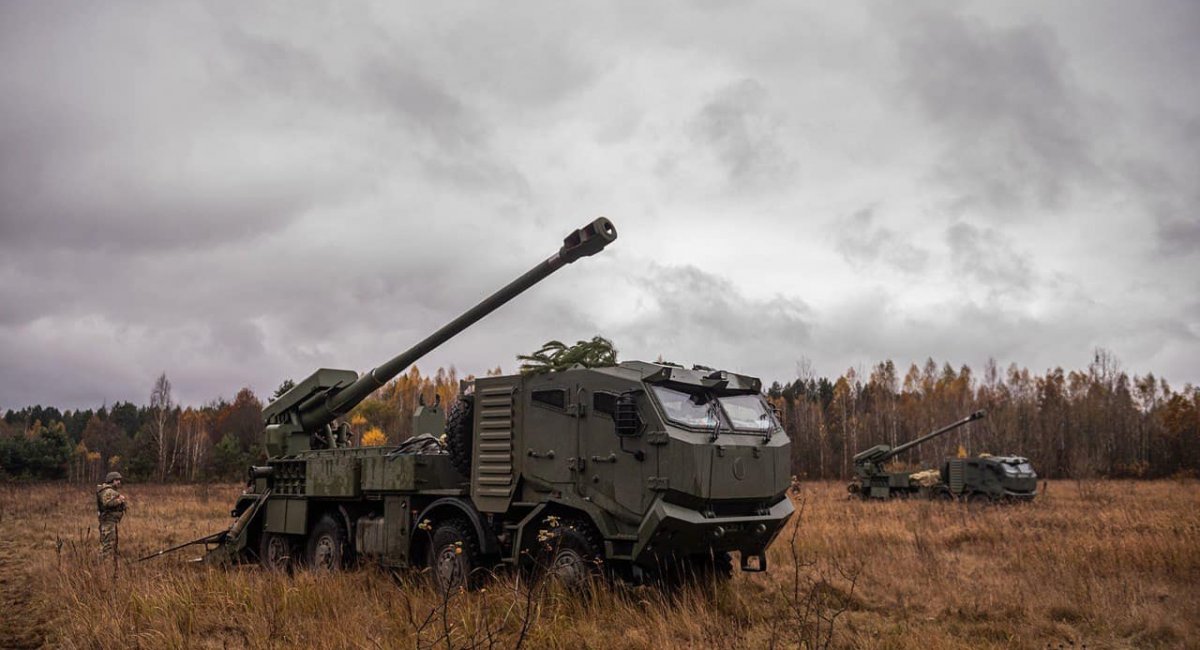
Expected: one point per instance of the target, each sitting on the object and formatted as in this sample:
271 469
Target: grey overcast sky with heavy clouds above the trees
238 194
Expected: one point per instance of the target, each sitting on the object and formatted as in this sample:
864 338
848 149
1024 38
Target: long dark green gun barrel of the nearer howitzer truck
323 408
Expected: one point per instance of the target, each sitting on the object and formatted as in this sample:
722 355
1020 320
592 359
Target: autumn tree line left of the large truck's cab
164 441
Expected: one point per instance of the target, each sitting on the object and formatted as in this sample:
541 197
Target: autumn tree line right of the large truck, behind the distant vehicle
1096 423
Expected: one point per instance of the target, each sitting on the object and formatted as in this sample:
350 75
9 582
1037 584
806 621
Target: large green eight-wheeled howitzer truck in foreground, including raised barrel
638 470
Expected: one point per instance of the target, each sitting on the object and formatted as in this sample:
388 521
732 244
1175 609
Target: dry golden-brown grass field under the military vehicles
1096 565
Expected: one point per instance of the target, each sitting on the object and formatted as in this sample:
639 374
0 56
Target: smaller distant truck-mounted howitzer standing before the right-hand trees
975 479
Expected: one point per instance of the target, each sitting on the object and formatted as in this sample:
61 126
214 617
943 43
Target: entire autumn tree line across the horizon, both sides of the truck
1099 422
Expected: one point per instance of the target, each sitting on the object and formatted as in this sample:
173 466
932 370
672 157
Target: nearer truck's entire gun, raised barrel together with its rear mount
303 417
